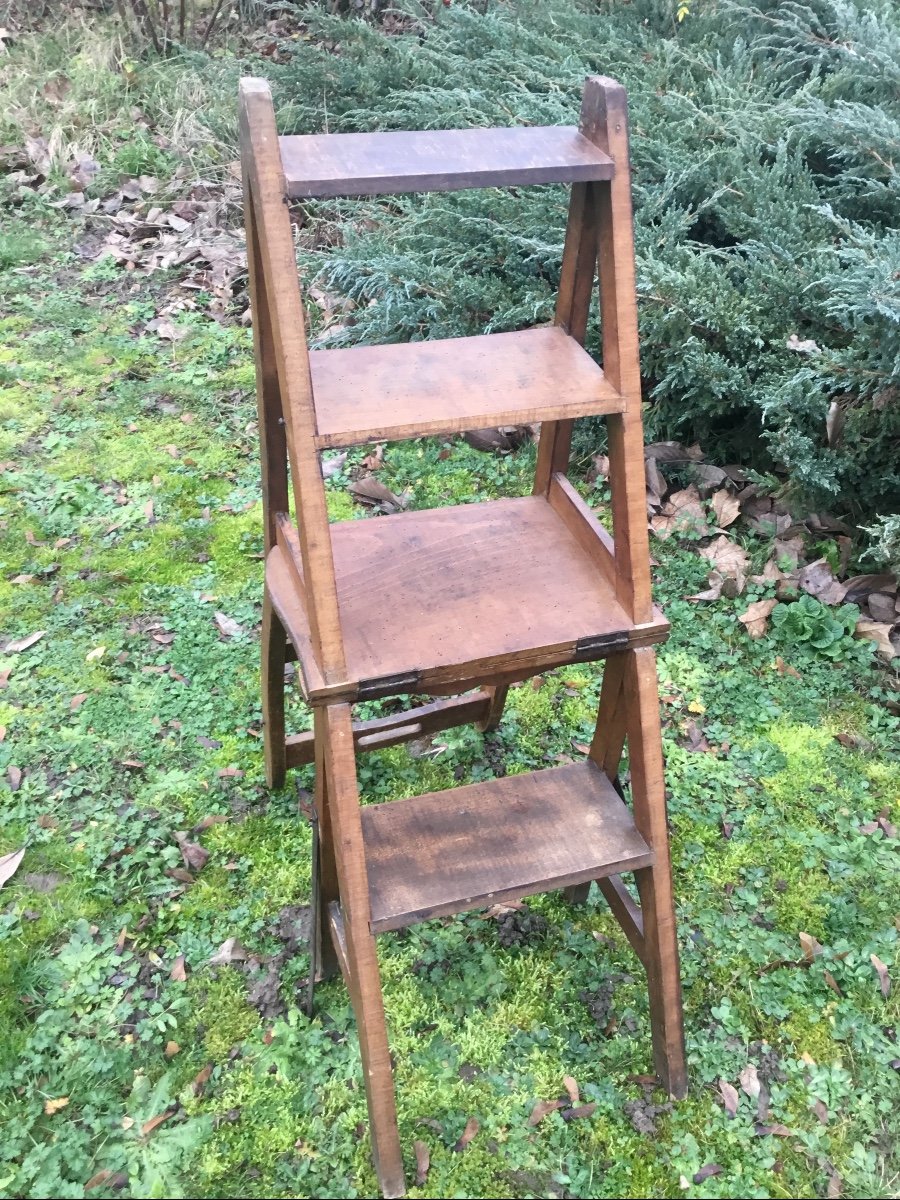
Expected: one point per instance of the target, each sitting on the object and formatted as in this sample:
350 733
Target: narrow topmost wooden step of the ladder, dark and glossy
323 165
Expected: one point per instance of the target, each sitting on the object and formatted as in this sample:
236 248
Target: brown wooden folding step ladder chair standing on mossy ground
477 597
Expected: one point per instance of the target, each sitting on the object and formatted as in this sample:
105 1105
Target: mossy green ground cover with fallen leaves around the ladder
130 519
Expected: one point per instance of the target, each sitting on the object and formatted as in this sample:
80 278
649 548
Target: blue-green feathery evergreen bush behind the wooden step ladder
765 141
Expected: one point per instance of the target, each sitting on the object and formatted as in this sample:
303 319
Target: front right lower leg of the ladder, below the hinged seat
655 884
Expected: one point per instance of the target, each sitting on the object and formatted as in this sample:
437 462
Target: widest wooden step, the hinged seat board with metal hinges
440 601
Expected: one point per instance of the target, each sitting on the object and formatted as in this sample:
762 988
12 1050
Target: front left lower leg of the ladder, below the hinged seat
335 730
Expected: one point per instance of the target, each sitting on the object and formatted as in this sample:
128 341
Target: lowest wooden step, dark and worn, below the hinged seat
485 844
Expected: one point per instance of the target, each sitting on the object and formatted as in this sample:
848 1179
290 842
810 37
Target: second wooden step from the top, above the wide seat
417 389
